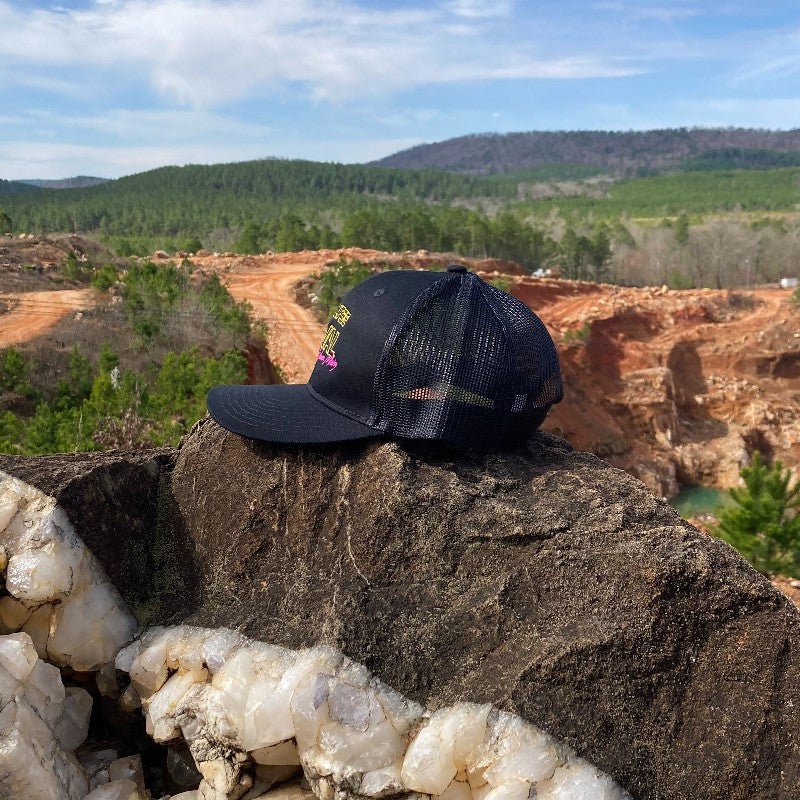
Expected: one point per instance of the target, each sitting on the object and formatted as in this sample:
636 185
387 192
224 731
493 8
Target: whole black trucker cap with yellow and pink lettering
424 355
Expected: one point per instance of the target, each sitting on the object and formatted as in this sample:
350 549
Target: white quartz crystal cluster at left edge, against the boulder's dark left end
56 592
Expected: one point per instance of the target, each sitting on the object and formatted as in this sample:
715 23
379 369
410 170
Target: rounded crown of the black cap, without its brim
456 359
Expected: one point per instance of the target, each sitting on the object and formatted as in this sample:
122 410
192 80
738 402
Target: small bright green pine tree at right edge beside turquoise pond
764 525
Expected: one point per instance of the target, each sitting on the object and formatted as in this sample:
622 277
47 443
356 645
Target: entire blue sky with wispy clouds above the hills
112 87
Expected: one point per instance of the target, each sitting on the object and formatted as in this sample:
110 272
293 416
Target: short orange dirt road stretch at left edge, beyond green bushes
32 313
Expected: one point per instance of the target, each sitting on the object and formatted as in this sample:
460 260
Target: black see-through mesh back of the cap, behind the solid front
466 363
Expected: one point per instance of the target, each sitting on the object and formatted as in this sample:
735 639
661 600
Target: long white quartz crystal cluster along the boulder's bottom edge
252 713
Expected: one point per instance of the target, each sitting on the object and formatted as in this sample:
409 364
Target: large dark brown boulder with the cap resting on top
542 581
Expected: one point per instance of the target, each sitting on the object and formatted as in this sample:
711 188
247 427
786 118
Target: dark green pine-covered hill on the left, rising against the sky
194 200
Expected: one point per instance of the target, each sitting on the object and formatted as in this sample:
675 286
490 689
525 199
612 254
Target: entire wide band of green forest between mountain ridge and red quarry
694 228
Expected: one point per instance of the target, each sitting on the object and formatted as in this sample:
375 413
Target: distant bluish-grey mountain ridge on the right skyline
625 153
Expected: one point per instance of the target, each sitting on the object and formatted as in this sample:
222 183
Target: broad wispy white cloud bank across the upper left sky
207 53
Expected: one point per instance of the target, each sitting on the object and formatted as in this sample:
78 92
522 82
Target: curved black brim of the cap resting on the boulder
288 414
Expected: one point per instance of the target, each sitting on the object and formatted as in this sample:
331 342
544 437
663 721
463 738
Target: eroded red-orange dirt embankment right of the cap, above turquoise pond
677 387
